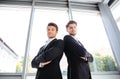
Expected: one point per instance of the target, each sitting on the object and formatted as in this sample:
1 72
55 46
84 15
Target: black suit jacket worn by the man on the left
53 52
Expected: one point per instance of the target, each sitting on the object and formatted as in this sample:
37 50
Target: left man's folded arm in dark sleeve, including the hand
47 56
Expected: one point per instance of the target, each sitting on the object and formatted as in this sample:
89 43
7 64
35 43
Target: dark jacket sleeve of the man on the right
73 46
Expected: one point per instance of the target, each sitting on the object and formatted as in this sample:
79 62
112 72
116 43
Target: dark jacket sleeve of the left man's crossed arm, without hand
52 52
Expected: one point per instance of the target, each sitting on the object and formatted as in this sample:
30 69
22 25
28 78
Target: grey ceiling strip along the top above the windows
75 4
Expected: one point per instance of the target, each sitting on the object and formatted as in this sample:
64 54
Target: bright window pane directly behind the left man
39 35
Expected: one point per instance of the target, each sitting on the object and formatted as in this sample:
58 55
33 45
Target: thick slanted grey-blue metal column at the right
111 30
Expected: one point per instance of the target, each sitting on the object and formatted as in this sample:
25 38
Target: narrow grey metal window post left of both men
28 41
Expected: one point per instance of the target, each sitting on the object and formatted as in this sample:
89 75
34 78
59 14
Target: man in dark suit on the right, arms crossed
78 67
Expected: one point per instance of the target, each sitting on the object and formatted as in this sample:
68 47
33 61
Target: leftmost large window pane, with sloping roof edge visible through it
13 33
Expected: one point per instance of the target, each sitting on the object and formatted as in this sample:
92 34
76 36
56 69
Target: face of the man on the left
51 31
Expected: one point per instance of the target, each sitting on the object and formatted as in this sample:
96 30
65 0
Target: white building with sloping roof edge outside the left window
7 56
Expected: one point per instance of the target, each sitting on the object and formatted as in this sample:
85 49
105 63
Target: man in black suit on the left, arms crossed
48 58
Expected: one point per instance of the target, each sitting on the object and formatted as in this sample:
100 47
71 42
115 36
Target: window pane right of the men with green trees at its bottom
92 34
